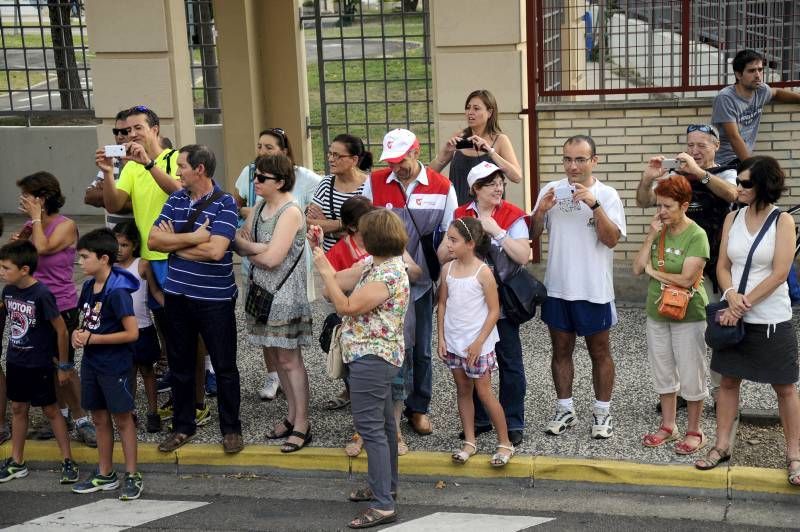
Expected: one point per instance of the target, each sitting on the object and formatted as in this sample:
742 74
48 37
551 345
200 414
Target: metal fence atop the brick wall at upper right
623 49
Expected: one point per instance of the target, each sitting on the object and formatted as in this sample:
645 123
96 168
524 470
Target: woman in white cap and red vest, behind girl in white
510 250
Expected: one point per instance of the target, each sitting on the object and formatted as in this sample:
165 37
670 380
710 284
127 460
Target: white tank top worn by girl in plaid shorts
465 314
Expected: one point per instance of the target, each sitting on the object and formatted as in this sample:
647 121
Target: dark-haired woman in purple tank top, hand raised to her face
55 237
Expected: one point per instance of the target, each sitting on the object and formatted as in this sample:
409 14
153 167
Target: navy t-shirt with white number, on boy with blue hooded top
102 314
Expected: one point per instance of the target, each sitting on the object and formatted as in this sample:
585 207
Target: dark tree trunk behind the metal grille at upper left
69 81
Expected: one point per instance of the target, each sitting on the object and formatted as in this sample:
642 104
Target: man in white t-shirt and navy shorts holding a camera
584 221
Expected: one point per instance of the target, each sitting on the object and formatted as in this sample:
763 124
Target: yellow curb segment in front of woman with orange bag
625 472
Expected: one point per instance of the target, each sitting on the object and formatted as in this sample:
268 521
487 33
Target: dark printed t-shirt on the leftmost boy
32 341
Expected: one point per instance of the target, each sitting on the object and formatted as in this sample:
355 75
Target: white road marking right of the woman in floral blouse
458 522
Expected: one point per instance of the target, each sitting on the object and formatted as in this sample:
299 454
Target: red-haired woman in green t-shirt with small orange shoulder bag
674 252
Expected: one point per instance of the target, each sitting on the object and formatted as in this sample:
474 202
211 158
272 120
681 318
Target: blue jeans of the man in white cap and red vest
419 399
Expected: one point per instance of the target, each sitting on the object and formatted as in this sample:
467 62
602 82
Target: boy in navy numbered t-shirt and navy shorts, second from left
107 333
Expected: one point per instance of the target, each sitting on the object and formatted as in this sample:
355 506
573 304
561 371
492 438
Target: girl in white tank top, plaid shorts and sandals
469 308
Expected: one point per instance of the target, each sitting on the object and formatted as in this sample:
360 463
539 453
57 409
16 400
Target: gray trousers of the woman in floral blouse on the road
373 416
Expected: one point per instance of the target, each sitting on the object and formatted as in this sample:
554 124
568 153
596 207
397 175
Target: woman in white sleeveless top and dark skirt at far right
768 352
